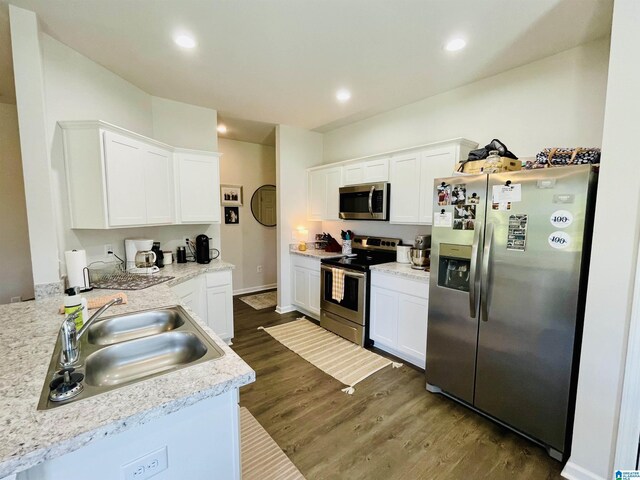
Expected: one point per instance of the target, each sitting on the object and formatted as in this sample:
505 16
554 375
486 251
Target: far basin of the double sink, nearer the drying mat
134 325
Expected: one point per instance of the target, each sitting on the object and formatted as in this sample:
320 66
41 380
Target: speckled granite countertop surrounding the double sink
27 339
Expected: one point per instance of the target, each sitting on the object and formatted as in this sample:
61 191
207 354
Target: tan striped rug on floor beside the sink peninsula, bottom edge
262 458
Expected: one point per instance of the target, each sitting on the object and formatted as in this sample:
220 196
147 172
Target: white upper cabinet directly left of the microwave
323 185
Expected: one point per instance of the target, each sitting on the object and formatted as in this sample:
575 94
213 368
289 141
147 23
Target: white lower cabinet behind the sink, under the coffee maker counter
210 296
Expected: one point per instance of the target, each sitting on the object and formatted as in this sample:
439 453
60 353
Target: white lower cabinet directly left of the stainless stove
305 274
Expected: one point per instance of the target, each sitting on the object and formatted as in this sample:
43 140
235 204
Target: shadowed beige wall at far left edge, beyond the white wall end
16 279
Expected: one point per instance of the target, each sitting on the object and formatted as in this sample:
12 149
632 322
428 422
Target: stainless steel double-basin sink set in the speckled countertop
124 349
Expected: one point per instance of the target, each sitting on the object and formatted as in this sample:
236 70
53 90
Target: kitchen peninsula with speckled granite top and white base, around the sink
192 412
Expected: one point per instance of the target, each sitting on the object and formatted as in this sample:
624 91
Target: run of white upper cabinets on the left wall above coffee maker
116 178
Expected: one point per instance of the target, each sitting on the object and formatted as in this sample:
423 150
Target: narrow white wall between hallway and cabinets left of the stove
296 150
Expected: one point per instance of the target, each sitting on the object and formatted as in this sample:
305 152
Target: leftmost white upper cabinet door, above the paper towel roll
125 175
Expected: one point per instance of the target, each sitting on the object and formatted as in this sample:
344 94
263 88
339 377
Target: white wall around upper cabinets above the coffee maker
76 88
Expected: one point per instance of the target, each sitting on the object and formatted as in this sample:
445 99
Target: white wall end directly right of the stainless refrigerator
613 259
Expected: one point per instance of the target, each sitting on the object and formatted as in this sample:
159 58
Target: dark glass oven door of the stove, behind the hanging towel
353 306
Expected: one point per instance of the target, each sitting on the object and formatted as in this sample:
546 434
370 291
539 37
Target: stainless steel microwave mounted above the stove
369 201
